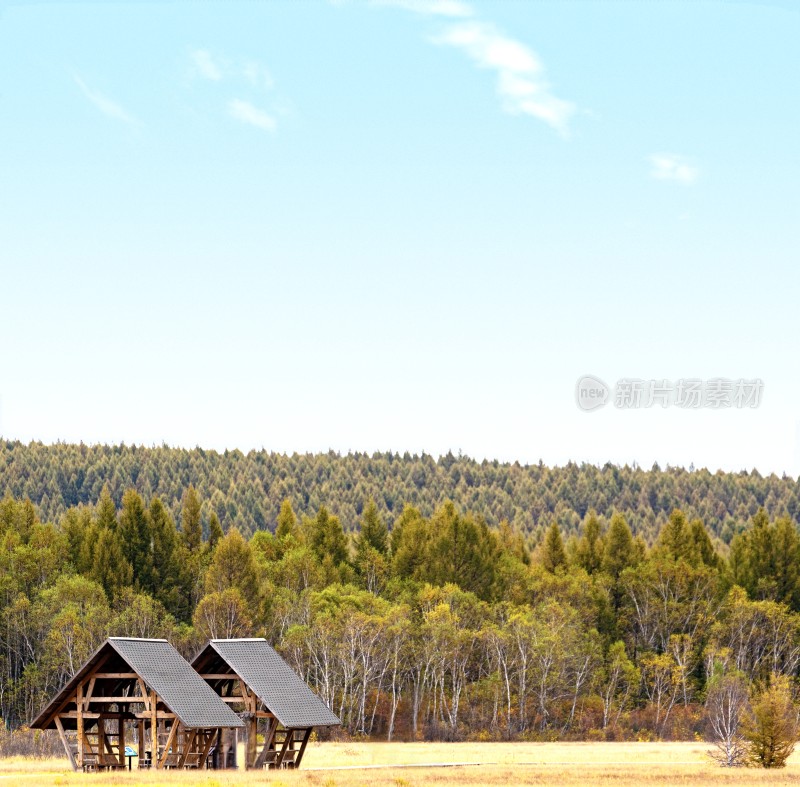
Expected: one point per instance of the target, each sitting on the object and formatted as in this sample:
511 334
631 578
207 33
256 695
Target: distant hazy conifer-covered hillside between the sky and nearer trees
246 490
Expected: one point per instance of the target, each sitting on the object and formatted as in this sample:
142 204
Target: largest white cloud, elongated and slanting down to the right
521 83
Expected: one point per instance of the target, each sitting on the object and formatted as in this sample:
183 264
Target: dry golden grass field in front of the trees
490 764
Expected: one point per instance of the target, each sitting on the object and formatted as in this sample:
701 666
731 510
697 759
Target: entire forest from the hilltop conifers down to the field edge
525 607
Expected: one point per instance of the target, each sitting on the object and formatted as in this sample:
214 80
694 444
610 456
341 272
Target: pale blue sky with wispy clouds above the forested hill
400 225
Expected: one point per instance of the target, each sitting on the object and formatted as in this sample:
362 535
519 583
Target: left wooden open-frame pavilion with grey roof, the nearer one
140 689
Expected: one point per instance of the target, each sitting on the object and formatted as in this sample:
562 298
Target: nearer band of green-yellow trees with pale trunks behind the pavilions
441 627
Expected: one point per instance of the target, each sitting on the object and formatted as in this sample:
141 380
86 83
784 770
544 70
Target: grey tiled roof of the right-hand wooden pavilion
283 693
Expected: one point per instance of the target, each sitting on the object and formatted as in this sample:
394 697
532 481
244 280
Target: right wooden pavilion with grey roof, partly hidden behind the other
269 696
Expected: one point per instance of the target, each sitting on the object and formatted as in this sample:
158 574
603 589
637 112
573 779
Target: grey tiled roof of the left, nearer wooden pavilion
164 671
